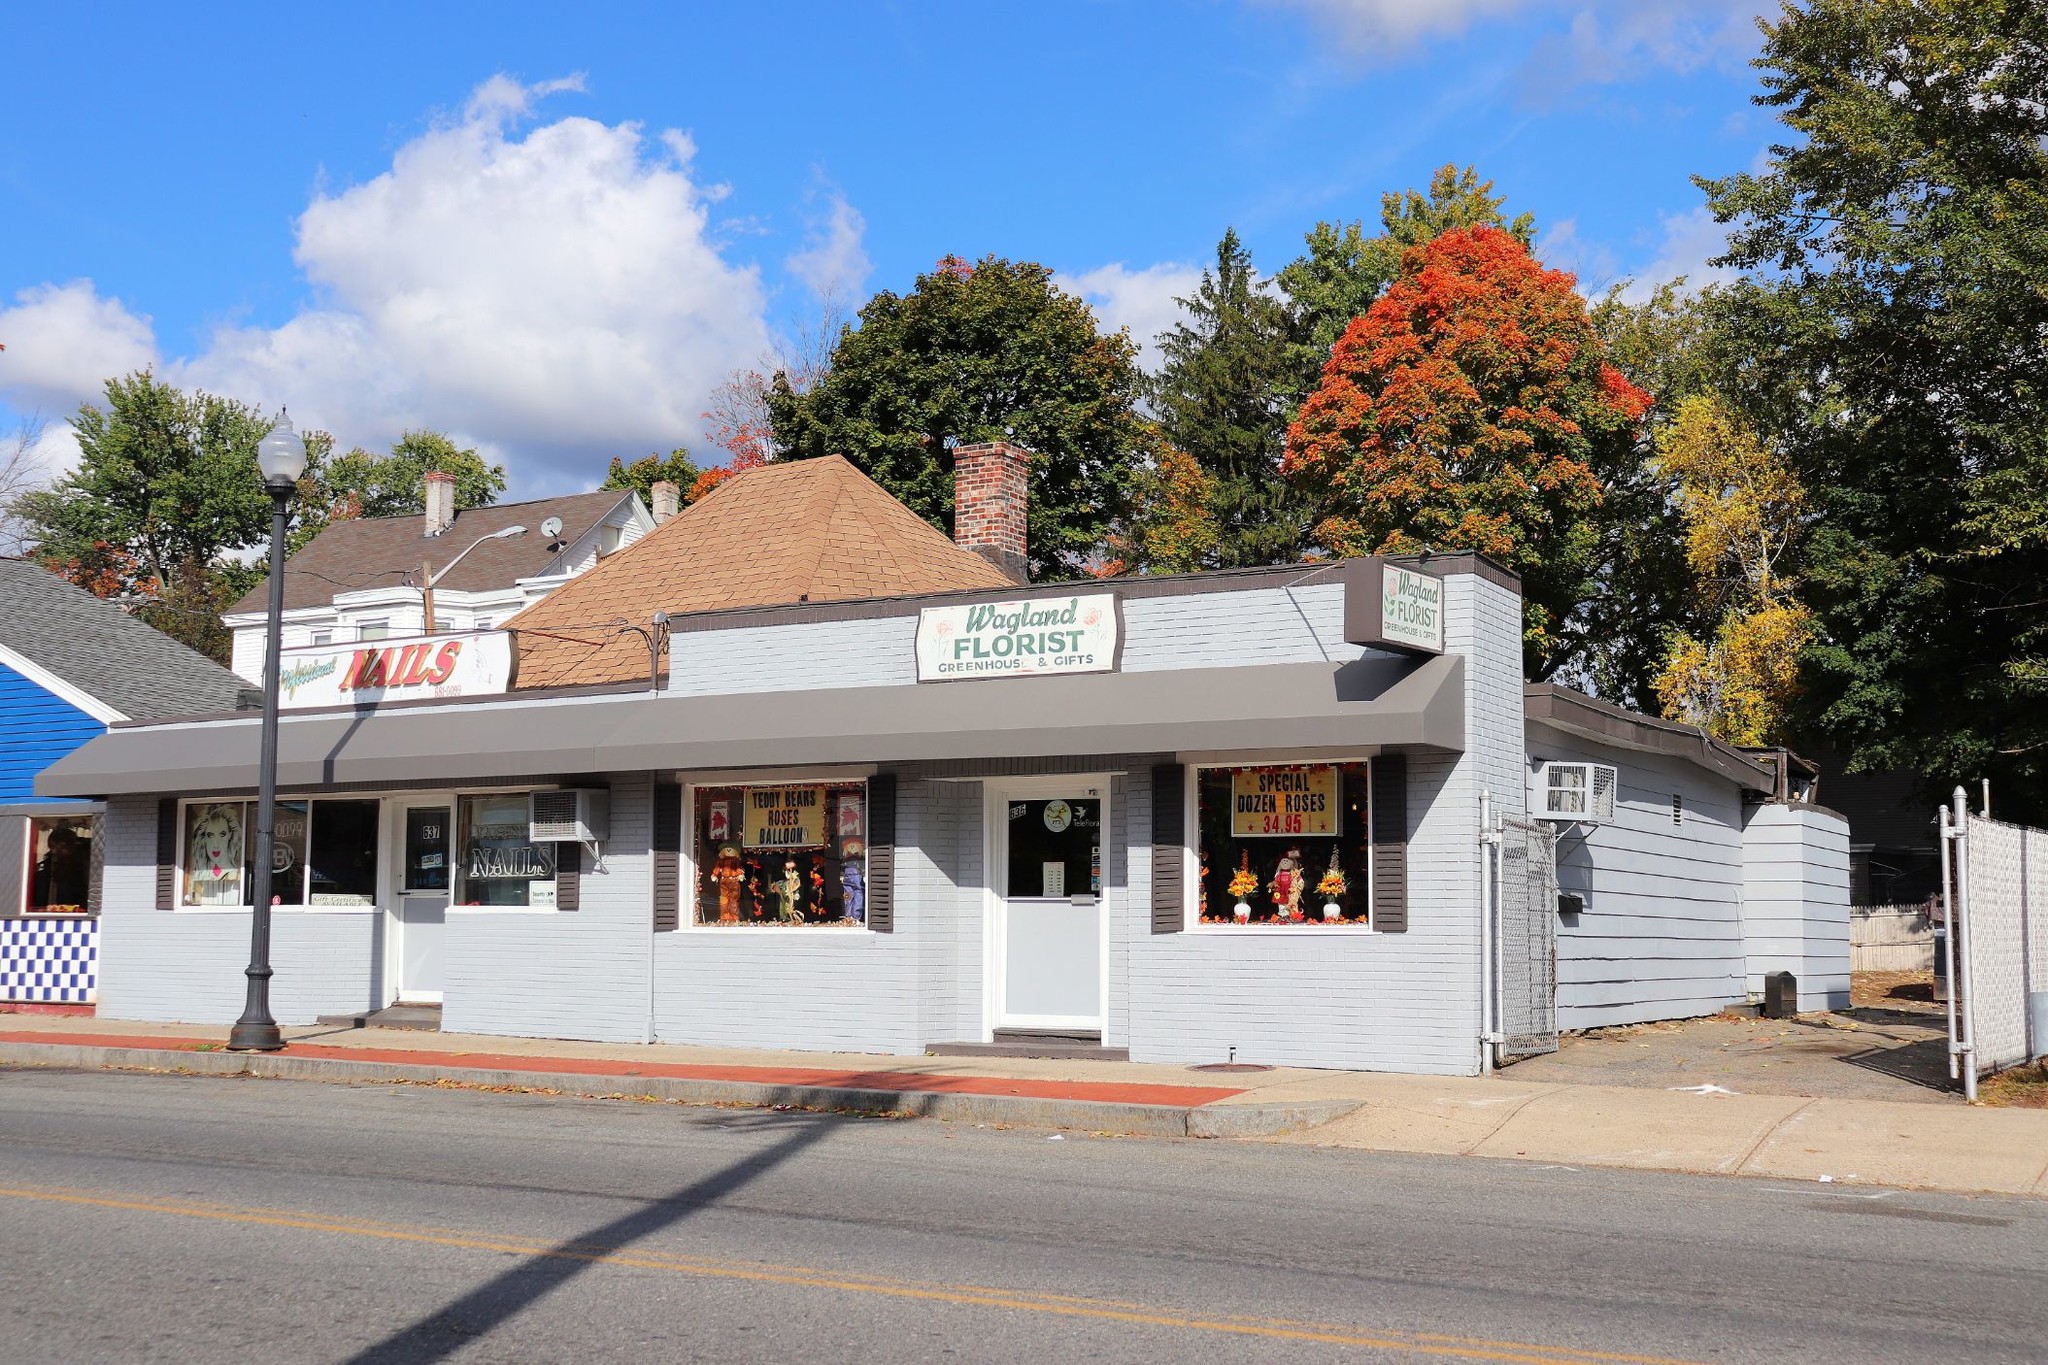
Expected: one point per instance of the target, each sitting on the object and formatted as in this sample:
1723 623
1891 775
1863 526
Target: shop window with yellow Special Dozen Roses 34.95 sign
1285 846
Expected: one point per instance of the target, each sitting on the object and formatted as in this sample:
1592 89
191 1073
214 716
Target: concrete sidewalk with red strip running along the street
1699 1131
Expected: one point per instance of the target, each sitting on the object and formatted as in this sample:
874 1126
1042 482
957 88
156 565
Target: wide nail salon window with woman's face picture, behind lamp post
323 852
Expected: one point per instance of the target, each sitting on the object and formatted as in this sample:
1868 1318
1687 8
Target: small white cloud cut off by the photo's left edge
65 343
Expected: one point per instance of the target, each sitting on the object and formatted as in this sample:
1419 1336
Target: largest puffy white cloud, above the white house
556 298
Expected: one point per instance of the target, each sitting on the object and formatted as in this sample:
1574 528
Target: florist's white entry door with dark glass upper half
1050 908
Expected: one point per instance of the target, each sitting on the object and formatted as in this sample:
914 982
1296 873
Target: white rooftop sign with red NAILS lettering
476 664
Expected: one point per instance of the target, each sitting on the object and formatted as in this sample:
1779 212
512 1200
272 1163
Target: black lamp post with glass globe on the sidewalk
282 459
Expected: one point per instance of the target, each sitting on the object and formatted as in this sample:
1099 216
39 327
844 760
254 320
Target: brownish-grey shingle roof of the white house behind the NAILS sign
382 552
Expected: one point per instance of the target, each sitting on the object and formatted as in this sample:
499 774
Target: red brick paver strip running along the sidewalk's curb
1101 1092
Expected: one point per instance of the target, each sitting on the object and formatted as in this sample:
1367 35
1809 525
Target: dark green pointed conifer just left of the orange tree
1222 400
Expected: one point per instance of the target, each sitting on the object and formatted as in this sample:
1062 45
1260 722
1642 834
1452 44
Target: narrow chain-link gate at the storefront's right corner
1525 938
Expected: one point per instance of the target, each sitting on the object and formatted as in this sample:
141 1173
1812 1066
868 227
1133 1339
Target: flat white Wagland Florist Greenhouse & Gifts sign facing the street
1029 637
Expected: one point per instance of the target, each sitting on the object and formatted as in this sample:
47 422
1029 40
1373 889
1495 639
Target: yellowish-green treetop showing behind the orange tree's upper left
1347 269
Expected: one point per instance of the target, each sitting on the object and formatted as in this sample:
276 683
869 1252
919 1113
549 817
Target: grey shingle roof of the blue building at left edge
103 652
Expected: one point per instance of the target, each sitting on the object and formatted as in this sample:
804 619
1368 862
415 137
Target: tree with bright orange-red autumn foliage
1474 410
